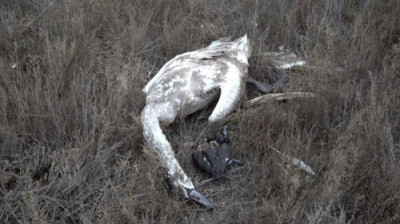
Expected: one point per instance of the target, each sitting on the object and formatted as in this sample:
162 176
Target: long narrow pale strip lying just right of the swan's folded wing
280 97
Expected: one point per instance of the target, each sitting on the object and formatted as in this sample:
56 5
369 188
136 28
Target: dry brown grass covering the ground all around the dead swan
71 74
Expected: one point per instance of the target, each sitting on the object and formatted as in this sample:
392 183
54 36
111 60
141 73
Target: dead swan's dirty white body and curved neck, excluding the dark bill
190 82
